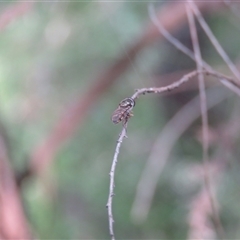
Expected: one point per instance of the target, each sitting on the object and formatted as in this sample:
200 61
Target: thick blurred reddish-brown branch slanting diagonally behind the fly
43 154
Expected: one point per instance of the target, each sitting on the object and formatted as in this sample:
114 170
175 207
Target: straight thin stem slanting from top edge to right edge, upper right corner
214 41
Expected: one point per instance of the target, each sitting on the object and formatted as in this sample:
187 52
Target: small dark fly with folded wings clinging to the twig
123 112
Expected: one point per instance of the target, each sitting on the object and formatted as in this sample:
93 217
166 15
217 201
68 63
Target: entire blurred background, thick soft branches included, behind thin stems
64 67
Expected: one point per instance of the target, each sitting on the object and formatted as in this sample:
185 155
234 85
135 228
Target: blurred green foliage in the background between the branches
49 59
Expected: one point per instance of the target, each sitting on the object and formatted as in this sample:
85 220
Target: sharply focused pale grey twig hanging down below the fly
112 185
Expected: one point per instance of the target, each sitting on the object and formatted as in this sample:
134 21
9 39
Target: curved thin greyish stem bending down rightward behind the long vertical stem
176 43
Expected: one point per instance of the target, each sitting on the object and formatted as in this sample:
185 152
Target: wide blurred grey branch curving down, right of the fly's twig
162 147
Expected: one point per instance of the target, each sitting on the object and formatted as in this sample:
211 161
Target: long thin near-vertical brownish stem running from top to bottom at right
205 128
